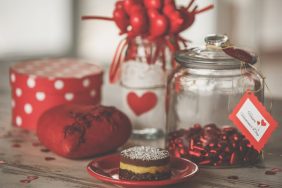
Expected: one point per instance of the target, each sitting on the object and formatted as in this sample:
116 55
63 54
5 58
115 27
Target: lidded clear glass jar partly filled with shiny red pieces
201 93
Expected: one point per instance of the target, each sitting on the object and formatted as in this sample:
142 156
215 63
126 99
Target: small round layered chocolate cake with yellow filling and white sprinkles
144 163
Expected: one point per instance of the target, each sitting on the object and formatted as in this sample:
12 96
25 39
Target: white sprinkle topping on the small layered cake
145 153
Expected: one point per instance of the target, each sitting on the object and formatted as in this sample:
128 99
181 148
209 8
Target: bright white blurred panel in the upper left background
34 28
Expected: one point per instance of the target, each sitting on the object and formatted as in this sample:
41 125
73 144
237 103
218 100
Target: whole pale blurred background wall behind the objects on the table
40 28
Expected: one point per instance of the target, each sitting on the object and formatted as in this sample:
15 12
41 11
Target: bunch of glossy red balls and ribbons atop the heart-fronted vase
154 20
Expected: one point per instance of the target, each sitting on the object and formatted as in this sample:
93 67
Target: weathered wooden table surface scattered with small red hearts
21 156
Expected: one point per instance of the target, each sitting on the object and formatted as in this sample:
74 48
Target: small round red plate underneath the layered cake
106 169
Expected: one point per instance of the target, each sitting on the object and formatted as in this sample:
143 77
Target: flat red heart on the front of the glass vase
140 105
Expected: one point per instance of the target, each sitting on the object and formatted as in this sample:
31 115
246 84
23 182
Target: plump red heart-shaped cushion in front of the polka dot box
80 131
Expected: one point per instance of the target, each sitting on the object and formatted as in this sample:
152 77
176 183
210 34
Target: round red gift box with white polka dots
39 85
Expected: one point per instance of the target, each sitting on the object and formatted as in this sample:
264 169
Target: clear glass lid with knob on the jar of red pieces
210 56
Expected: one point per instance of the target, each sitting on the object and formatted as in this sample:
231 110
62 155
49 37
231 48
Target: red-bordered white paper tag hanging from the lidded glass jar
253 120
